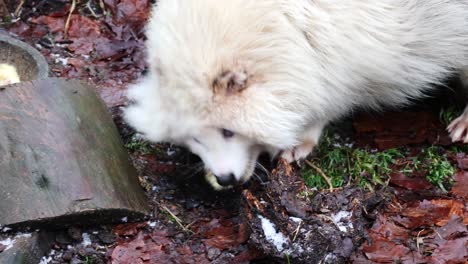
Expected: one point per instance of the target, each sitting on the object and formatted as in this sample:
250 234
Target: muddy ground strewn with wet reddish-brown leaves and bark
276 217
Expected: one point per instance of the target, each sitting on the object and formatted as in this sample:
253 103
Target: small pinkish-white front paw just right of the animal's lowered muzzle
309 141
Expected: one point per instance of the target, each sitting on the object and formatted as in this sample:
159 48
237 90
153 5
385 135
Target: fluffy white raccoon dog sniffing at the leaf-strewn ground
231 79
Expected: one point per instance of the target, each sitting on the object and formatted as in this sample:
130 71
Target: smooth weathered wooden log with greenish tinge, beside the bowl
62 160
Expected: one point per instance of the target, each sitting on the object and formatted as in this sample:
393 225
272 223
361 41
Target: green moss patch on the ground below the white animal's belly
347 165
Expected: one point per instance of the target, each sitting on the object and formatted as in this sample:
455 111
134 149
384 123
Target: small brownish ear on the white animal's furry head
230 82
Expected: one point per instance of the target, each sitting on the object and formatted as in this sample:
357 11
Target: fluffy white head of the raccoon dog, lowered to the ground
226 80
